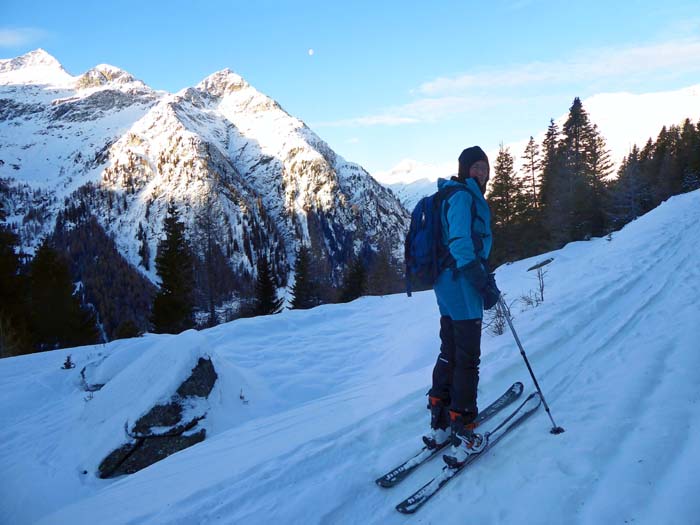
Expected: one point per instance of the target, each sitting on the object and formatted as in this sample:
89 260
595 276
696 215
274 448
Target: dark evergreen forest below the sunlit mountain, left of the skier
114 300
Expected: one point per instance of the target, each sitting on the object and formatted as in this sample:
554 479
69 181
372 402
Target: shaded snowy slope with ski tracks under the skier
337 395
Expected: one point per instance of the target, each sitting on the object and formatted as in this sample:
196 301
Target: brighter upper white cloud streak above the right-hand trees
678 56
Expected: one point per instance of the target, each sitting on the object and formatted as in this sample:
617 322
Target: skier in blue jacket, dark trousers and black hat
462 289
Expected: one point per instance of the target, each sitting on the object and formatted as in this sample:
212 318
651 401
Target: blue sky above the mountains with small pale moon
386 80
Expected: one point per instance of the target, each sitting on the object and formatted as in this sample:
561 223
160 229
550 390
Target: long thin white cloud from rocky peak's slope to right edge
449 96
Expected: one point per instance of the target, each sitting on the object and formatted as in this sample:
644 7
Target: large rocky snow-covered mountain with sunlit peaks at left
107 141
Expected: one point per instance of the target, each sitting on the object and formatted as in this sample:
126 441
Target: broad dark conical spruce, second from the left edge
57 319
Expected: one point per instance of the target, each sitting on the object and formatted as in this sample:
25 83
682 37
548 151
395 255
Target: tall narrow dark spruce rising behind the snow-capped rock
173 305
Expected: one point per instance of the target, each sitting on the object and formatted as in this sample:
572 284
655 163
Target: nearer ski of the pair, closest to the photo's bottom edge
427 491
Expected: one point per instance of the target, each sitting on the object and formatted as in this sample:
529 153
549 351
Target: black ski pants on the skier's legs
456 372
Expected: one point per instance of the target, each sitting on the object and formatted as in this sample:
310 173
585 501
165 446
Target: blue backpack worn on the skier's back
424 252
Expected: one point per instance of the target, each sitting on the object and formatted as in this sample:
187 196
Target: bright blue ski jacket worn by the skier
456 296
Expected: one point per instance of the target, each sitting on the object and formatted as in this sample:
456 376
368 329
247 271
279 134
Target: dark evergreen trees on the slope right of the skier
566 193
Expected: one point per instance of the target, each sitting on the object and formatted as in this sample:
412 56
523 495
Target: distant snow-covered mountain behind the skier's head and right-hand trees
624 119
